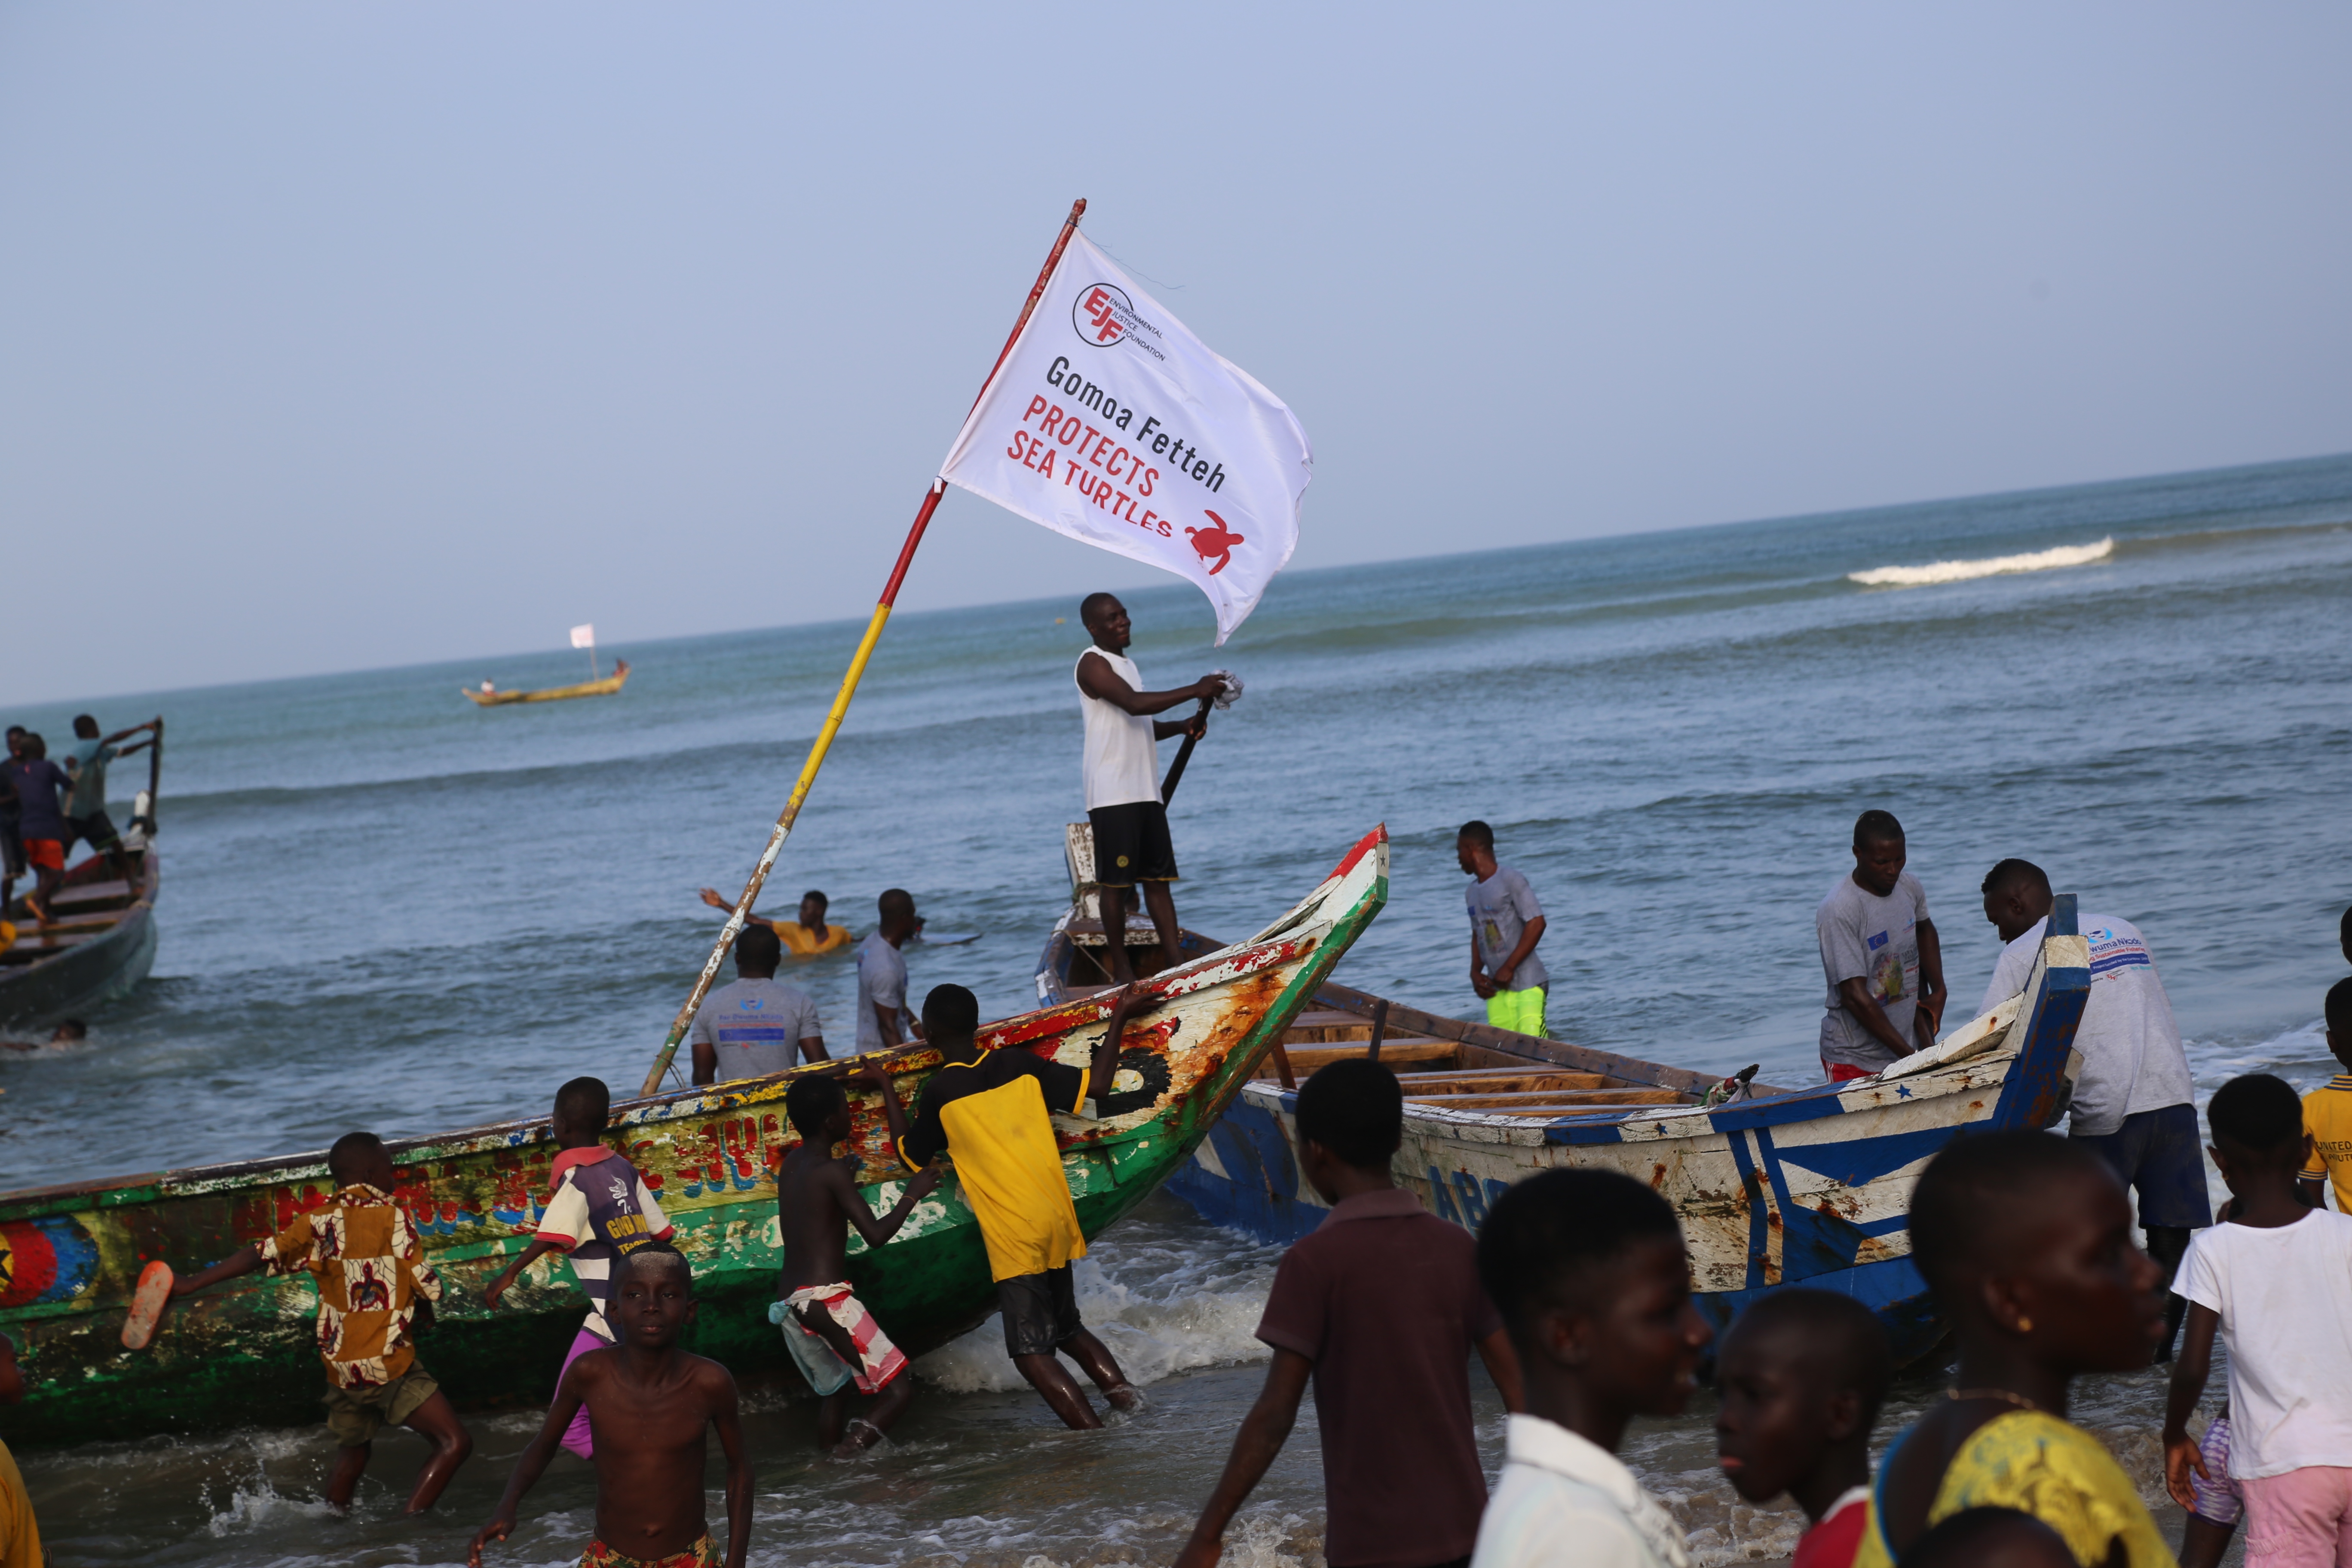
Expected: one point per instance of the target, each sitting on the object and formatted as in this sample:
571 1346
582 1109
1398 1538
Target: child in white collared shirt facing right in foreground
1593 1282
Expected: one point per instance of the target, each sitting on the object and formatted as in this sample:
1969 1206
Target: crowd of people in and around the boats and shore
1572 1292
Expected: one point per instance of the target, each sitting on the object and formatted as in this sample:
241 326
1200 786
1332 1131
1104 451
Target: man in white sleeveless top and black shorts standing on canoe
1123 779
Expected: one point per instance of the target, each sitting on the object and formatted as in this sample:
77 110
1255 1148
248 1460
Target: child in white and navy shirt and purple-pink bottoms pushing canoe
599 1214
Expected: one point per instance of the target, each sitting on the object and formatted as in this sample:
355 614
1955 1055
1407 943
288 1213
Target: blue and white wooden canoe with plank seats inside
1775 1188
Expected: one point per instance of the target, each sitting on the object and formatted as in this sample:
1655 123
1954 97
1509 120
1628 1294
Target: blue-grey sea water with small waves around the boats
389 909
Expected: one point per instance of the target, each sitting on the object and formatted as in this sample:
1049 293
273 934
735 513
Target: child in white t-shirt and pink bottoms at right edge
2273 1280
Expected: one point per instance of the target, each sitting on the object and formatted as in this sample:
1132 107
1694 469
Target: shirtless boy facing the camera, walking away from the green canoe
653 1407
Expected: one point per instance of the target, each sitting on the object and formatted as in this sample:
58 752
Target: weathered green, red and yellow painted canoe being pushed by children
72 1257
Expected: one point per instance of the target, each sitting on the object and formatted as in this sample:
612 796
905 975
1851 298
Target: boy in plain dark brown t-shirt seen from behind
1379 1308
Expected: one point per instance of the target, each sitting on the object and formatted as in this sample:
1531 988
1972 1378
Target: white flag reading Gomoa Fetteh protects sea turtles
1114 424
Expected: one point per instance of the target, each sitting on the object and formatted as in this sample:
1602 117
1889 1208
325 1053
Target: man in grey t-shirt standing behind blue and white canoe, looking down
1880 958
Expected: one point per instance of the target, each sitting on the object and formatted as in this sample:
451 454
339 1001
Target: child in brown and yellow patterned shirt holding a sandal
373 1289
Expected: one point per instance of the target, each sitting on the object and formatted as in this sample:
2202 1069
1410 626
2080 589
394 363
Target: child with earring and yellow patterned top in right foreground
2026 1242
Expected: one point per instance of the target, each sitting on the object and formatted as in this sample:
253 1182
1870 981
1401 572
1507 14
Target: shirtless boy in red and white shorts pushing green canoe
831 1334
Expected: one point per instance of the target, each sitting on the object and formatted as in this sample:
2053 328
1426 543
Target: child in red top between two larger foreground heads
1803 1376
